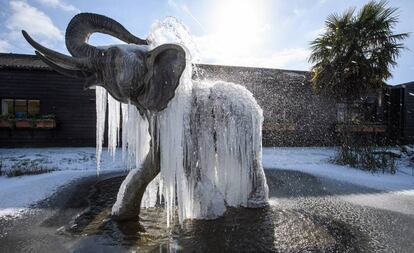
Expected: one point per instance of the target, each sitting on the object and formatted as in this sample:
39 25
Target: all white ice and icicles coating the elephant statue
209 139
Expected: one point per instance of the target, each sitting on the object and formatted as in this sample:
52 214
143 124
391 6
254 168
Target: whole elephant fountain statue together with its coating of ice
193 145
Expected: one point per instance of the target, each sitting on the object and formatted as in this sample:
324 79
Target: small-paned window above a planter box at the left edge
20 108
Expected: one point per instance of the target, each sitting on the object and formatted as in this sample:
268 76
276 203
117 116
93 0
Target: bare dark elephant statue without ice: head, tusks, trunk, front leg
149 86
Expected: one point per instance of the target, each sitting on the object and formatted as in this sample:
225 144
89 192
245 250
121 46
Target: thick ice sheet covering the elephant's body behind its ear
210 140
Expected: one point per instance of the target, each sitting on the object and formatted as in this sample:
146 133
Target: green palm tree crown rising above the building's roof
357 51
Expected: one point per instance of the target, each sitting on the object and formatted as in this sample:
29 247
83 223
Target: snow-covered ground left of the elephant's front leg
18 193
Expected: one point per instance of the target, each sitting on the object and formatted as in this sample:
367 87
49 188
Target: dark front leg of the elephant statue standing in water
128 201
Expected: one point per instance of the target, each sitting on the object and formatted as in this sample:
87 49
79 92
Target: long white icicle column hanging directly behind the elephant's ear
172 123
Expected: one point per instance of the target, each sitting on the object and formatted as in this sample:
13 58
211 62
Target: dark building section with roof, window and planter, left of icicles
41 107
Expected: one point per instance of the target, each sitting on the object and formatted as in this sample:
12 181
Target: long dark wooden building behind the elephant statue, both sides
40 107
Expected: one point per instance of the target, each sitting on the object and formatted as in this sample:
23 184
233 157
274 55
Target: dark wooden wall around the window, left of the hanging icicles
74 108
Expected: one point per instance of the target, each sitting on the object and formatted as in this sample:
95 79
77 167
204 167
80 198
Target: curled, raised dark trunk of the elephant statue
84 24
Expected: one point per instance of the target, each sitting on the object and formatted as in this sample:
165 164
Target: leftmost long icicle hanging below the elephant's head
101 98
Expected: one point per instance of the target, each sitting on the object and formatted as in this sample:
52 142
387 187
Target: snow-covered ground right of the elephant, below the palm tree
316 161
